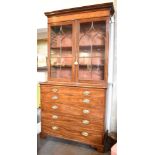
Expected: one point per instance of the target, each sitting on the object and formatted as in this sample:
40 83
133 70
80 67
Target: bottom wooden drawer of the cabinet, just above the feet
64 131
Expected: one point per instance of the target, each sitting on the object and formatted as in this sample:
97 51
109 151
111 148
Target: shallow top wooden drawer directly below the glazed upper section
66 90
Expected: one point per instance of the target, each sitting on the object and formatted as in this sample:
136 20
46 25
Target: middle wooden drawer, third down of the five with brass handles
75 110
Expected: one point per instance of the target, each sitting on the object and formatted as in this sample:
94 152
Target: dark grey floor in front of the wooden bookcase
55 146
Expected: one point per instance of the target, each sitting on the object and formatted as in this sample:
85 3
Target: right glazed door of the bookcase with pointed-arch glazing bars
92 46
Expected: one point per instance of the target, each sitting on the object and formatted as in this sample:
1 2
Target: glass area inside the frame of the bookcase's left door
61 51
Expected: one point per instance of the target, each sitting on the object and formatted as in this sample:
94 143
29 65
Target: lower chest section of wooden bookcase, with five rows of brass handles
73 113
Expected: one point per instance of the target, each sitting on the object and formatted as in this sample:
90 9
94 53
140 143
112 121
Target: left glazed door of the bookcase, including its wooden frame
61 55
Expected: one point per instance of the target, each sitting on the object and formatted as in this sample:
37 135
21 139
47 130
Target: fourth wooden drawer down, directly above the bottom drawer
72 121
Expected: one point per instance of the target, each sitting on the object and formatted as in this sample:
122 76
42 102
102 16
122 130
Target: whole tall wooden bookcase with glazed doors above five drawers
73 98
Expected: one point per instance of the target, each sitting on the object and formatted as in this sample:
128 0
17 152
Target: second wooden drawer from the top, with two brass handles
94 102
